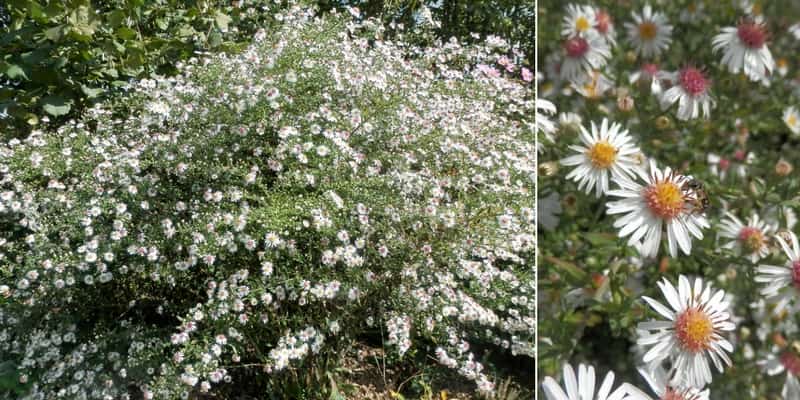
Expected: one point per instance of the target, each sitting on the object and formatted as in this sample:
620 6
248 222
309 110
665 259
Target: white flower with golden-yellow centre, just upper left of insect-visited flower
607 150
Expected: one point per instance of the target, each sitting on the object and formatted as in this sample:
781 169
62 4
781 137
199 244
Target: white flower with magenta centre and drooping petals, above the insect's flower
692 91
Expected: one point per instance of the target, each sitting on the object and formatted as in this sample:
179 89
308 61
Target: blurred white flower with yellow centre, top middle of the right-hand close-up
650 34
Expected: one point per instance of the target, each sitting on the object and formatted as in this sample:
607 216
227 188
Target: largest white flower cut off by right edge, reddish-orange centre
782 282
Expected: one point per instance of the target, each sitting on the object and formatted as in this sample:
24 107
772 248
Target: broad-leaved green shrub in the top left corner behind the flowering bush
59 56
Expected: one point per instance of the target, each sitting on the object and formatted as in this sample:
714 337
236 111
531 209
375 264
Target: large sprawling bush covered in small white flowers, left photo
230 229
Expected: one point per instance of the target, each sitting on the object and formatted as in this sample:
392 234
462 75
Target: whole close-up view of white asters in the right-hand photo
667 135
